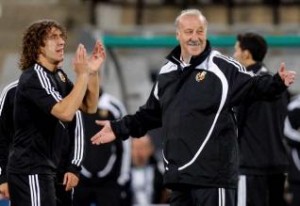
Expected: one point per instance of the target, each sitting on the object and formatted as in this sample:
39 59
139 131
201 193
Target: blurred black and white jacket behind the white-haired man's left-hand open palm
107 163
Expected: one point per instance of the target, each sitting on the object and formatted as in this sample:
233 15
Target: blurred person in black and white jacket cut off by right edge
292 133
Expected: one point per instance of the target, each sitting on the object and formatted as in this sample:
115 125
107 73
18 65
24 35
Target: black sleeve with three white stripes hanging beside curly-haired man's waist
77 144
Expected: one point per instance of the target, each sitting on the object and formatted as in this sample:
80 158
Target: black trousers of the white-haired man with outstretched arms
203 197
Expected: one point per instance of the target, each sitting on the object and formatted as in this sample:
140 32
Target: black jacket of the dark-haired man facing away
260 133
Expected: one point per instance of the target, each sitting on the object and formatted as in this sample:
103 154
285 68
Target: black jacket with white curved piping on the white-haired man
193 105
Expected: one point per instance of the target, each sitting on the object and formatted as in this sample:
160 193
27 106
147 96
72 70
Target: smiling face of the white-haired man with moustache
191 34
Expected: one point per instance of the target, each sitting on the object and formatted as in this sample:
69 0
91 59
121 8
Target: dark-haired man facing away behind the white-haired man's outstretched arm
263 156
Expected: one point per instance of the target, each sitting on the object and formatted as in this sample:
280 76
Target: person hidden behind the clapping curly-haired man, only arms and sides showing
70 162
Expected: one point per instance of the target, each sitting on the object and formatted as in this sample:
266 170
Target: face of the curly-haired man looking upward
52 53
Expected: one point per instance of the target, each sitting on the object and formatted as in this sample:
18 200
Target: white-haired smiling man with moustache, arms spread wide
192 102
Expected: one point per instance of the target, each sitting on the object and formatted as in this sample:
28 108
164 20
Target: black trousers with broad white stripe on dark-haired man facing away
261 190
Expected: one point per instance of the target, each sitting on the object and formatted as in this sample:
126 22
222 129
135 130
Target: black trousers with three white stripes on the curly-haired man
31 190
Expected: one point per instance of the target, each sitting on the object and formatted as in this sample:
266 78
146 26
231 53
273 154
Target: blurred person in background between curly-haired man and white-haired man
105 174
